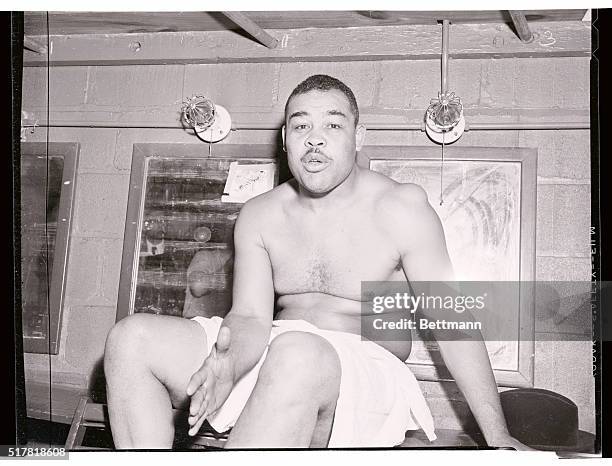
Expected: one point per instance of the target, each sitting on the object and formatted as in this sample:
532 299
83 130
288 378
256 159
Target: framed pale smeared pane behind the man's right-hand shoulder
485 198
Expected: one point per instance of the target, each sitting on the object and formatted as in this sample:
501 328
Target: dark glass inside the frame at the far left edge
41 185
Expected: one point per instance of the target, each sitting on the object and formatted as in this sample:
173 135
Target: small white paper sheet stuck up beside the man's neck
245 181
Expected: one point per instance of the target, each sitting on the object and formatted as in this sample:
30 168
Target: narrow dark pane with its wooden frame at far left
47 188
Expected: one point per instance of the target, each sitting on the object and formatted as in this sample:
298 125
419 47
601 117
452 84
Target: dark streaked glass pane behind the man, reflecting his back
186 253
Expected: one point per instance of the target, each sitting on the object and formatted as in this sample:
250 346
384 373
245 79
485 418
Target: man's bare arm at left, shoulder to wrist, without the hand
250 318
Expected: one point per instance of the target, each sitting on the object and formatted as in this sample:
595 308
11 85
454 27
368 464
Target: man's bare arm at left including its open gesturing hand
245 331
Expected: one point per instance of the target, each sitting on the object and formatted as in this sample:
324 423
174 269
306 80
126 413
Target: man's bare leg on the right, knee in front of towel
293 402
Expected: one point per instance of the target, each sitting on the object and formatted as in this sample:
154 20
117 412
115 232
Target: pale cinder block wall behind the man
131 95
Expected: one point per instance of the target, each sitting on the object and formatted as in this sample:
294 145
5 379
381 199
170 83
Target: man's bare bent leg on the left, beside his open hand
148 361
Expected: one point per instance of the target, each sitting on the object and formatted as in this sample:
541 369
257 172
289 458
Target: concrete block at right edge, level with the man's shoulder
572 219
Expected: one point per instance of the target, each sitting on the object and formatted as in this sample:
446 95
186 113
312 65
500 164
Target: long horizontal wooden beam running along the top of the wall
420 42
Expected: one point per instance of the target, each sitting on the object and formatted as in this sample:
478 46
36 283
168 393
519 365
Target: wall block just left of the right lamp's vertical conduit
409 84
